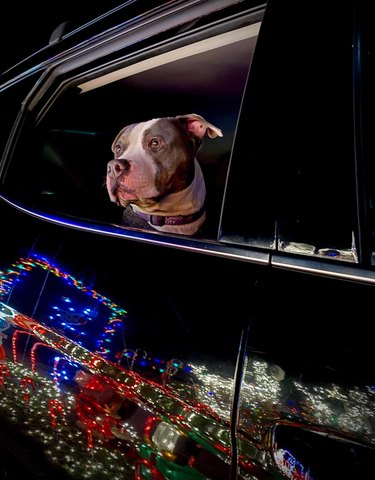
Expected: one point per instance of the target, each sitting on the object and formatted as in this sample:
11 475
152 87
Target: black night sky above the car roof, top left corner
27 27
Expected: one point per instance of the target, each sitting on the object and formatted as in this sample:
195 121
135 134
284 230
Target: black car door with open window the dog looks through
122 343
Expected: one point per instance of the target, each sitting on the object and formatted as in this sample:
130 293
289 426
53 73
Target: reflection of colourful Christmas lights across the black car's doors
157 416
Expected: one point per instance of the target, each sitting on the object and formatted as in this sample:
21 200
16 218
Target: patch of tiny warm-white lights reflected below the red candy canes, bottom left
66 444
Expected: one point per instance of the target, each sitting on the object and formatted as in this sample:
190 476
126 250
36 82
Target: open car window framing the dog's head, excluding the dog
71 143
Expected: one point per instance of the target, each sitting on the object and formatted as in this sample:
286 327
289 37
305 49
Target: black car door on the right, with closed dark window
307 392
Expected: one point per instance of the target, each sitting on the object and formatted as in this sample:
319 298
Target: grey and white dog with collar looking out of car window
155 174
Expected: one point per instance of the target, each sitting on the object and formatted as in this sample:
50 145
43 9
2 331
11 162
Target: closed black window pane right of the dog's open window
292 175
